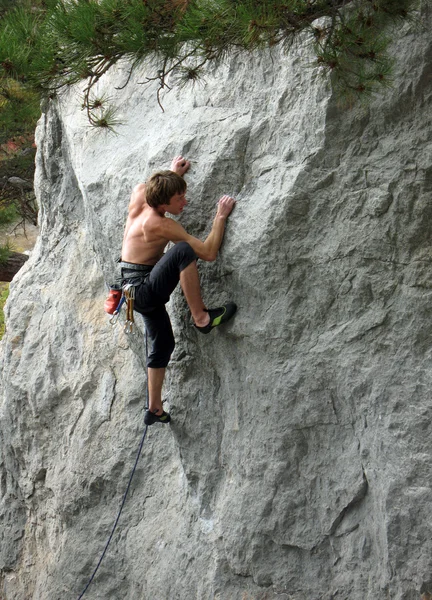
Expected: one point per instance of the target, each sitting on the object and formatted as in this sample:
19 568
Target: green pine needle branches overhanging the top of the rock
61 42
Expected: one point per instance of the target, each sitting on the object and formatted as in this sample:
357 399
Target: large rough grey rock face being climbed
298 462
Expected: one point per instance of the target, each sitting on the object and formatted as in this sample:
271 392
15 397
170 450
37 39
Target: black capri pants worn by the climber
151 297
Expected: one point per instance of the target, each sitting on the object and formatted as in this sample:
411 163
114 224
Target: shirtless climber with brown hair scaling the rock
155 274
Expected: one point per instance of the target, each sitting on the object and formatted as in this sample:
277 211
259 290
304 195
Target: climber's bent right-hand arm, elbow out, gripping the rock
208 249
